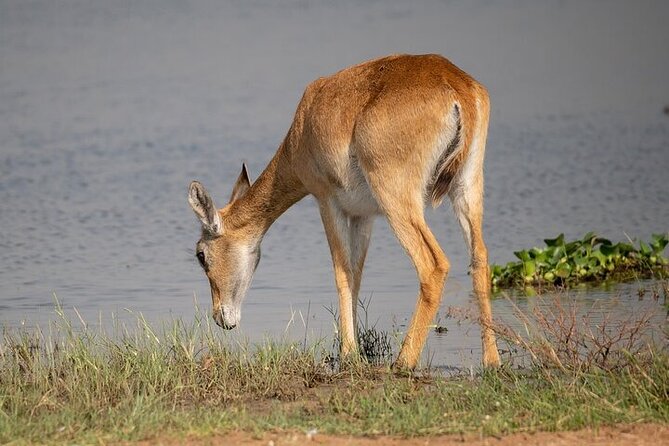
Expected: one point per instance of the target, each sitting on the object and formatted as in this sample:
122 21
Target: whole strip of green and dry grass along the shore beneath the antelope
65 385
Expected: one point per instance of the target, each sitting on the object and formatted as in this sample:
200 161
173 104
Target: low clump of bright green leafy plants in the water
592 259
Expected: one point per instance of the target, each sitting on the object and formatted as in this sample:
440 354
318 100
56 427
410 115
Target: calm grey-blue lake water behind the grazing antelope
109 109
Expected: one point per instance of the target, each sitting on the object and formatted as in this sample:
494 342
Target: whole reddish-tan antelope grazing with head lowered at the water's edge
385 137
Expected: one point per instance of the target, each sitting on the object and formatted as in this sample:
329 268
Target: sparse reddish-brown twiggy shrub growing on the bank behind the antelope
565 334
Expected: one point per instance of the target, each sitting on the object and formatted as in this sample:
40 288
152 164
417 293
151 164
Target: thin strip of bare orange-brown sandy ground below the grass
640 434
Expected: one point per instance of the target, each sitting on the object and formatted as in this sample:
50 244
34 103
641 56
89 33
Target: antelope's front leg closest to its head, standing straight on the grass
337 230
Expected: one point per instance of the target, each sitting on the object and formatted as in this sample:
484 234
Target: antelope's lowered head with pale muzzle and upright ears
225 253
